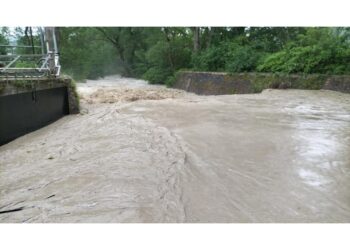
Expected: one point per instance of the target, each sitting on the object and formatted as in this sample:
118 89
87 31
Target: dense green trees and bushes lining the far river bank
156 53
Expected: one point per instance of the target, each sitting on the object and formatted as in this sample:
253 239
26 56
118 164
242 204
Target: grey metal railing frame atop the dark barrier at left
45 64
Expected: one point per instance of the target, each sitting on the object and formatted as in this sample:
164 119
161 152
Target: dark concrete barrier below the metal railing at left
27 105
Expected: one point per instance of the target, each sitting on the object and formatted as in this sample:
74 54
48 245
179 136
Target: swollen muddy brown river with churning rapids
142 153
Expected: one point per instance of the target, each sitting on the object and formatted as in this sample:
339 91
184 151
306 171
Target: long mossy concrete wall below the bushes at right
212 83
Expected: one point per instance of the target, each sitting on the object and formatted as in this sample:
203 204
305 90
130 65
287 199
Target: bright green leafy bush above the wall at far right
316 52
